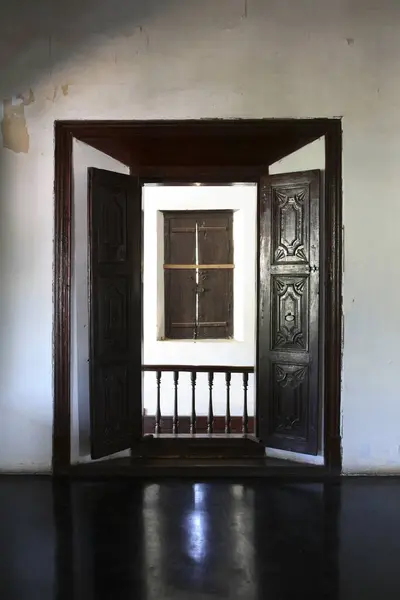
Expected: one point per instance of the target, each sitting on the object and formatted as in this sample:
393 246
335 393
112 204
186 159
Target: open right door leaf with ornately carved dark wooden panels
288 327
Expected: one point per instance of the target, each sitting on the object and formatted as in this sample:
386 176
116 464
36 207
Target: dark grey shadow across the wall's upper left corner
36 38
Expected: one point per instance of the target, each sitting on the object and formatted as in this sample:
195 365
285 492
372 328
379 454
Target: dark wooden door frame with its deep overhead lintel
271 139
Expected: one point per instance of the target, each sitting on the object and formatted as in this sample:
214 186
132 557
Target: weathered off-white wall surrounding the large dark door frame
228 59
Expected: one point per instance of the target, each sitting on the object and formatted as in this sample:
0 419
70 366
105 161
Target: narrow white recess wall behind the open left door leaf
84 156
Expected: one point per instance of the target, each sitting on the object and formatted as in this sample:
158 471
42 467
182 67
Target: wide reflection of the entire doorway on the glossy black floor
201 540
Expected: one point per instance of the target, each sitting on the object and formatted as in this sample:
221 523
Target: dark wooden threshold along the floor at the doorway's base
189 468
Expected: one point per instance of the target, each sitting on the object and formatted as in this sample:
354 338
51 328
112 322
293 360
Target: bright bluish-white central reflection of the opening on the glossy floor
206 532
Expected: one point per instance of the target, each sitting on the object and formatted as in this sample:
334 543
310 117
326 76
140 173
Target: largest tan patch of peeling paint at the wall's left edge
13 126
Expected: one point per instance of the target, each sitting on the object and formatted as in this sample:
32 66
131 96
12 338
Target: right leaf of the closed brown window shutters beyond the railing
215 289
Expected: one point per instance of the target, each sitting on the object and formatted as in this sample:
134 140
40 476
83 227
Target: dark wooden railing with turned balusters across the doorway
212 424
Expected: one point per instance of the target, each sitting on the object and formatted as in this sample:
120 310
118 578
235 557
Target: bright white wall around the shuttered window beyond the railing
240 351
